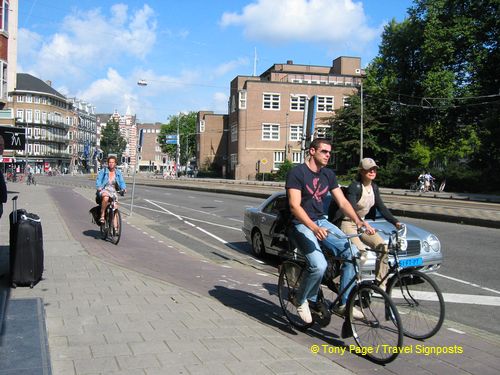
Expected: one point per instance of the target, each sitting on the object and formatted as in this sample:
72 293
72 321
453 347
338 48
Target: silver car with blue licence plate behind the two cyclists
422 249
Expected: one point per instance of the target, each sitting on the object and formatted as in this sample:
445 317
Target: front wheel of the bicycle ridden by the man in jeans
379 333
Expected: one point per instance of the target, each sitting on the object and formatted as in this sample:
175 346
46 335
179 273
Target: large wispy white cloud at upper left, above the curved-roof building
88 40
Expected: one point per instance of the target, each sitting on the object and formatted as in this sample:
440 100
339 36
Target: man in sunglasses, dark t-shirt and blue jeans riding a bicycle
307 184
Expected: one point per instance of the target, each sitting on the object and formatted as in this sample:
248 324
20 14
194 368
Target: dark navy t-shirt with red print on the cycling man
313 185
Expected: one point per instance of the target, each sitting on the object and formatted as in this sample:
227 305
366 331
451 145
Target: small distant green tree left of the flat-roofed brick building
186 123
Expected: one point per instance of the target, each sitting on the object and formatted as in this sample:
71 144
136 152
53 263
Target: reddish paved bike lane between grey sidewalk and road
254 293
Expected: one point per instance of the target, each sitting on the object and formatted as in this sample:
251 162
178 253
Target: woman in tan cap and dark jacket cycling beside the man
364 196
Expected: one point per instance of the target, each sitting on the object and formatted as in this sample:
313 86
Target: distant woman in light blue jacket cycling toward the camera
106 183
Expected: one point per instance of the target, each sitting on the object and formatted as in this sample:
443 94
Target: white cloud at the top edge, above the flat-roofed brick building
320 21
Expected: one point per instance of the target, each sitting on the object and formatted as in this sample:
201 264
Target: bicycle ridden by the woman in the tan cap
417 297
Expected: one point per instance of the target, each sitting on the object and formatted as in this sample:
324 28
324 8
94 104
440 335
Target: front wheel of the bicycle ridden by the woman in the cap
419 302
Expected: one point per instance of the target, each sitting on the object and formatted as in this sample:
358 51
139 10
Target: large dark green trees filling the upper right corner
430 97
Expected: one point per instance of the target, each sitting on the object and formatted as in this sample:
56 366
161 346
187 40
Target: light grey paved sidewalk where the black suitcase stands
101 318
